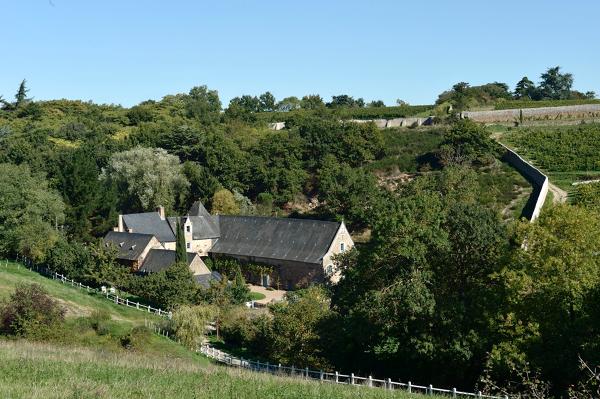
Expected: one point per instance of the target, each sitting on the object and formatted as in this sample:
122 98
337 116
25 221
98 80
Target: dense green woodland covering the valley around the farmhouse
443 289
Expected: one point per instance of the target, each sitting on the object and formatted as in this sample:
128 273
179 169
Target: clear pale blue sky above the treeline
126 51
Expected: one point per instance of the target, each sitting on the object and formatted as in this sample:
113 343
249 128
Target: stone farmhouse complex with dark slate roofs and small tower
291 252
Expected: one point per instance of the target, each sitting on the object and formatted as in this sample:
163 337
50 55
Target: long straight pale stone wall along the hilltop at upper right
549 113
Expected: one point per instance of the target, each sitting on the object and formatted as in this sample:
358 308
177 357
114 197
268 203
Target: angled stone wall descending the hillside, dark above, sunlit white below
538 180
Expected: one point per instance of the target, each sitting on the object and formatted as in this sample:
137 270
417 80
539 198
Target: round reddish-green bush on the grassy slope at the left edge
31 312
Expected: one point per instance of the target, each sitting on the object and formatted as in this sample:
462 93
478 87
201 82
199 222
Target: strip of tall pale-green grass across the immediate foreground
31 370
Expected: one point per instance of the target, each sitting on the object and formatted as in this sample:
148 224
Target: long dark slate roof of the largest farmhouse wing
298 240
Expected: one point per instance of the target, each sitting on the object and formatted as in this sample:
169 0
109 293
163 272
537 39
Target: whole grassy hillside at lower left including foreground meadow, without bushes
86 365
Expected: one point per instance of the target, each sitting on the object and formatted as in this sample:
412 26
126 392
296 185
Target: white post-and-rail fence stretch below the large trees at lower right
335 378
